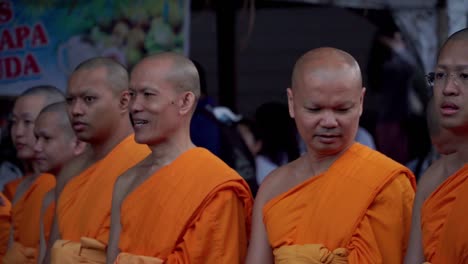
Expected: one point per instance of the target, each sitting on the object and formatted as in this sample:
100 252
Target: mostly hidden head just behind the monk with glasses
441 138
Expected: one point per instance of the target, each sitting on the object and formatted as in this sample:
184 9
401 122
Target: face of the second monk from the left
54 145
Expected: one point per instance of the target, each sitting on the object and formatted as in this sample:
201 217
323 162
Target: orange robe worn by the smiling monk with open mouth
195 210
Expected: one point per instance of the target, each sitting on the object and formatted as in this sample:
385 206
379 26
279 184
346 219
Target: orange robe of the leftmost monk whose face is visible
25 220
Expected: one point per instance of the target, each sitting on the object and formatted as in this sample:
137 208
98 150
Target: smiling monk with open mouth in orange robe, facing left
181 204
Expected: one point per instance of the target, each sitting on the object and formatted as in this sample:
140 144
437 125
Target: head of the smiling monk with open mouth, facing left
164 90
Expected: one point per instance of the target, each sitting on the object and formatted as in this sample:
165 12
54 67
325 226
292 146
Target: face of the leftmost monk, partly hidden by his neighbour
24 115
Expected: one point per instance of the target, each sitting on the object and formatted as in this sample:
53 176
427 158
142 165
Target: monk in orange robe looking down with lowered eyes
340 202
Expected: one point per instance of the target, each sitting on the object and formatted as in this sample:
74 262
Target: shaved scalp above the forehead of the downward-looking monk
327 63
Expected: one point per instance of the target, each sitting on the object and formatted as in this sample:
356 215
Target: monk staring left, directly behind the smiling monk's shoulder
97 96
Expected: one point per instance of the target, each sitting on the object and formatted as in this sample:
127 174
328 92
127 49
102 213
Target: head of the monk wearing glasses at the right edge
451 83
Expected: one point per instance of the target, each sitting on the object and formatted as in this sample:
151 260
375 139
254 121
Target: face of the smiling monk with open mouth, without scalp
154 105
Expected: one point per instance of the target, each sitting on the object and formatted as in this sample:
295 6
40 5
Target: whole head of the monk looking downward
326 99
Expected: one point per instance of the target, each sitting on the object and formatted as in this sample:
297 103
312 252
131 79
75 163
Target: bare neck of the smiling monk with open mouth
167 151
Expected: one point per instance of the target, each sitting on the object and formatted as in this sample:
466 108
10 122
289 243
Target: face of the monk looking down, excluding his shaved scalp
326 112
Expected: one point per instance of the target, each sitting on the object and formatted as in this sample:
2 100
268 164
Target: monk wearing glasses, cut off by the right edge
441 235
